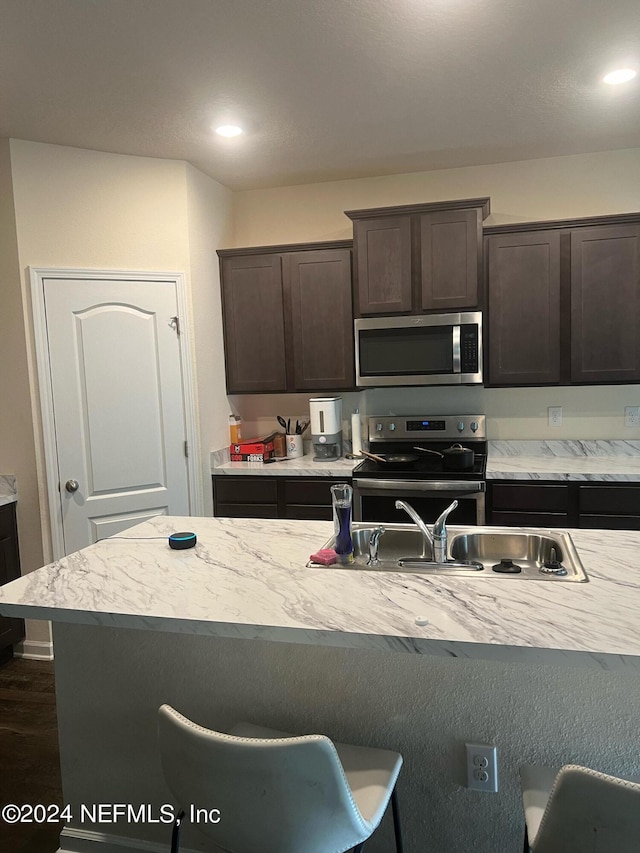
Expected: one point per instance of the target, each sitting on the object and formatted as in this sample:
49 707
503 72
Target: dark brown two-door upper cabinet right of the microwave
564 301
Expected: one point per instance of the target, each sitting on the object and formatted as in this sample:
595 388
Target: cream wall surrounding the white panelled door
77 208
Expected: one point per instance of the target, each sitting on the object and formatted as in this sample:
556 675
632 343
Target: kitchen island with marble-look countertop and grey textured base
239 628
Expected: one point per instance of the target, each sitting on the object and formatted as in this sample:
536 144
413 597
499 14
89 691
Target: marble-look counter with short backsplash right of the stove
595 460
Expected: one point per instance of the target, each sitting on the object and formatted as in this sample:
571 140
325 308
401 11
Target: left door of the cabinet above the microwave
383 264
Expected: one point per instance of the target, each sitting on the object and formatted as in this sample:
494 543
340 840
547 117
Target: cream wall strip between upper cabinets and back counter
589 412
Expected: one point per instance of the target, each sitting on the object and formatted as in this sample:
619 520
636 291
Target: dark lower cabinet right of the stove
552 504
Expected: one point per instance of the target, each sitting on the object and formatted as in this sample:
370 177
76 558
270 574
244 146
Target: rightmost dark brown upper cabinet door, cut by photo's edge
605 304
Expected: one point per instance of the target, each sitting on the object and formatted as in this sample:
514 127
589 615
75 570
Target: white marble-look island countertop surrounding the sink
246 578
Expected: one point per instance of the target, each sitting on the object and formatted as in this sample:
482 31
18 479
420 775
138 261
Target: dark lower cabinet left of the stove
247 496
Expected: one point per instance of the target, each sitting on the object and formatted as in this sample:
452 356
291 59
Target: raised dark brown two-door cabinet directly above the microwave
418 258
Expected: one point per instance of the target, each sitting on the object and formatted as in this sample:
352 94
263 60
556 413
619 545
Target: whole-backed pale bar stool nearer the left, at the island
276 792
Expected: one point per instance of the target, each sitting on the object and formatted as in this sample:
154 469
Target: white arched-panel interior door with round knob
118 404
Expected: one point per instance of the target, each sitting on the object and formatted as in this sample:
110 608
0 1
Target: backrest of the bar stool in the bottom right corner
590 811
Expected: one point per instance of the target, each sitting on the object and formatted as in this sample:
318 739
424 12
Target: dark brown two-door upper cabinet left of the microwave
288 318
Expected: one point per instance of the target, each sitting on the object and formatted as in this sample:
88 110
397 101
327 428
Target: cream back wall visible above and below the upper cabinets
552 188
